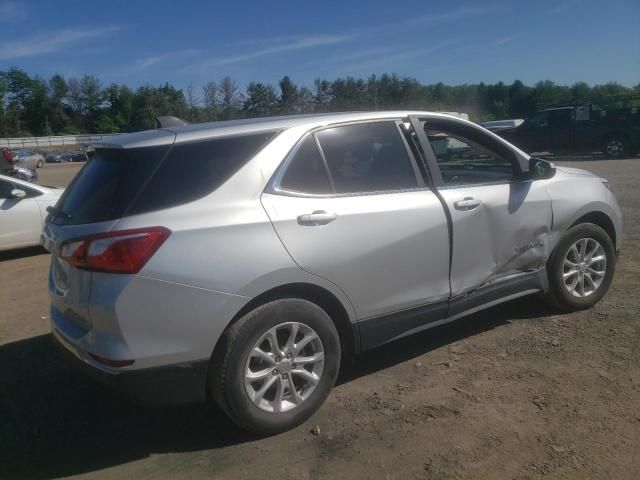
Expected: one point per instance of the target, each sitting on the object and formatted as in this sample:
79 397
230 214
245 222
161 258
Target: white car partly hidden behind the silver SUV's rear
23 208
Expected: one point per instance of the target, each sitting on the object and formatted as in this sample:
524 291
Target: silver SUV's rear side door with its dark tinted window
350 205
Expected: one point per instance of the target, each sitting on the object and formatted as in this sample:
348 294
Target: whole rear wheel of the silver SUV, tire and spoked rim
276 365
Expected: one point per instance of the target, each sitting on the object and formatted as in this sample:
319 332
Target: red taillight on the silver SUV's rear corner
123 251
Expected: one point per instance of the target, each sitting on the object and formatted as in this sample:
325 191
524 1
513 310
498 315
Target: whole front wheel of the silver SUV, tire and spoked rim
581 267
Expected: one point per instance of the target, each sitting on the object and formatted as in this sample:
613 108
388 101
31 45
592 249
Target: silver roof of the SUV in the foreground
201 131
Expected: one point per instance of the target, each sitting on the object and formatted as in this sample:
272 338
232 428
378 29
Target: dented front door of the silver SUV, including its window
500 220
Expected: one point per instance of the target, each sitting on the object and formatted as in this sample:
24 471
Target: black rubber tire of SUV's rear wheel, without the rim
227 371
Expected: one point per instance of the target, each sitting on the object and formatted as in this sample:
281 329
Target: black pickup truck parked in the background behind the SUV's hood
579 129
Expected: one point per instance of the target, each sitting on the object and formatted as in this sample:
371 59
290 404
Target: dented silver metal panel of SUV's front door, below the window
506 234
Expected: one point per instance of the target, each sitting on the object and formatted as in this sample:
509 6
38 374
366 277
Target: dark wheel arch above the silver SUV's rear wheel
349 339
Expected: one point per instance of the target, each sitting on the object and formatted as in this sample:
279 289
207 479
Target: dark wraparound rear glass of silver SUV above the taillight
120 182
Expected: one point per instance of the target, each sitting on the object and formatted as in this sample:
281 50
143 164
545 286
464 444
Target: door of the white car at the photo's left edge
20 218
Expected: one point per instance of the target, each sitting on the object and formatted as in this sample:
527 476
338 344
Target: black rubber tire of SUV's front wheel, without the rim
559 294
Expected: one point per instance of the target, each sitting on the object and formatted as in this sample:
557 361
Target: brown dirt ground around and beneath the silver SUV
515 392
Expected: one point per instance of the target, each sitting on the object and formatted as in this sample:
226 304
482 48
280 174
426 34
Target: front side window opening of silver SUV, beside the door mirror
463 161
